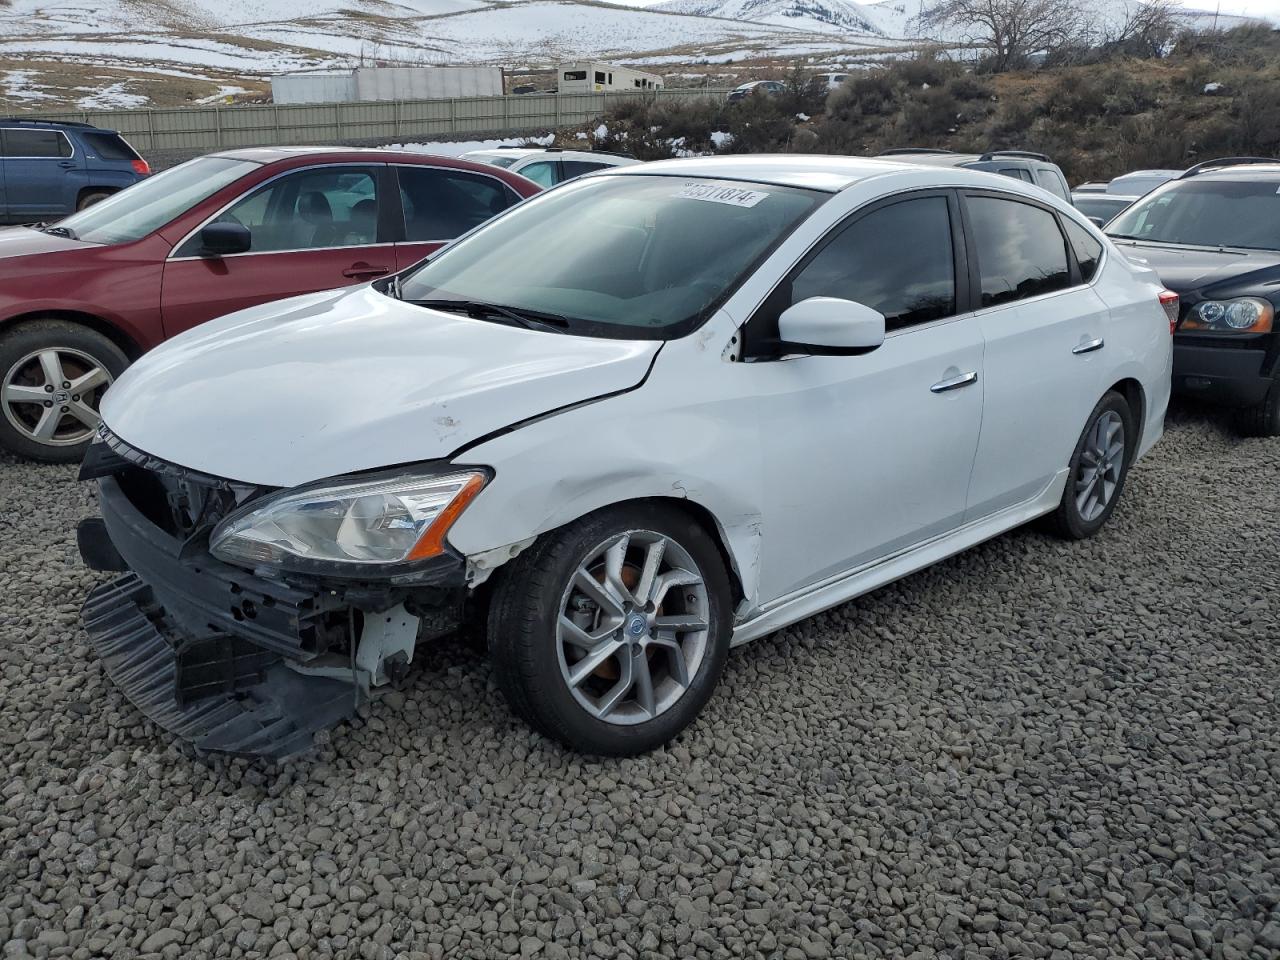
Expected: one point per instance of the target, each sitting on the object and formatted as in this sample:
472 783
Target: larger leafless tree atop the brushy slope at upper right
1011 31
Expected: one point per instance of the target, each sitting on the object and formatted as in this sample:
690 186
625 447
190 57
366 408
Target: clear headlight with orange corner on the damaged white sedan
383 522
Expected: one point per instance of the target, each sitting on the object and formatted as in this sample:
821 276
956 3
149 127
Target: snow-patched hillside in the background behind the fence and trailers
136 53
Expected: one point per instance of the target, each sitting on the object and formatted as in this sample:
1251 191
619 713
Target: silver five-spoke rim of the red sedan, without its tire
52 396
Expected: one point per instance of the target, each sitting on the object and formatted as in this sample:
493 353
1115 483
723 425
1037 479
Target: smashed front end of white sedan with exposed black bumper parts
248 660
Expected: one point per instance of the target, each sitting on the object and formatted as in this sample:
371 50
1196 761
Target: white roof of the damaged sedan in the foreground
813 172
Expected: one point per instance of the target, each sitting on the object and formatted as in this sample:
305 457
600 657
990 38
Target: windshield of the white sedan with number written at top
632 258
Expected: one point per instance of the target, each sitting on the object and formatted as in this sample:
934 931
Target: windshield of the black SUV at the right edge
1206 214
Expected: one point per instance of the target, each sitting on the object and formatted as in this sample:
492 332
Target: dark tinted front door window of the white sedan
898 259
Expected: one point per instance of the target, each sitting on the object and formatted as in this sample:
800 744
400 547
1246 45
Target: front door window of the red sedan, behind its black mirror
330 207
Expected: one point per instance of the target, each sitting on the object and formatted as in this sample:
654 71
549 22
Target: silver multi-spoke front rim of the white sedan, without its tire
633 628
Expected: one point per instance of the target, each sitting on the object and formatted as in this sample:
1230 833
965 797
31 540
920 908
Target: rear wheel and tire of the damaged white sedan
1099 468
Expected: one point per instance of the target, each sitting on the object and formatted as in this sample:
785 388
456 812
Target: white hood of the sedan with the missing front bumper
346 381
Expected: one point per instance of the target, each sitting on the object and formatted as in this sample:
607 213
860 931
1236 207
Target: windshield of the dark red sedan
150 204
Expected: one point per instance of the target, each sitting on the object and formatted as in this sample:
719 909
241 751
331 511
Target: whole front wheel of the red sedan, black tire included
53 374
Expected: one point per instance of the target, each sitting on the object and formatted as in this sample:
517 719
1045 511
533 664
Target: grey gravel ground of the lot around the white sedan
1036 749
